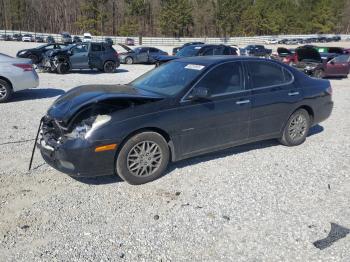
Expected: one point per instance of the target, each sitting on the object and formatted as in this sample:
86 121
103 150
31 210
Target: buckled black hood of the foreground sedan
66 106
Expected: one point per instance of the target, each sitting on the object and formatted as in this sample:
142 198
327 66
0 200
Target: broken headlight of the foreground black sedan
85 128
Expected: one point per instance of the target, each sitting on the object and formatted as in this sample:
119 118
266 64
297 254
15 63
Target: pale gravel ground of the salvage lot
259 202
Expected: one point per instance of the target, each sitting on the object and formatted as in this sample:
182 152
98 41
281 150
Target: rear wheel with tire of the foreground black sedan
296 129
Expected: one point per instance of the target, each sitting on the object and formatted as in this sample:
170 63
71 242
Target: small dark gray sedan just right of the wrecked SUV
139 55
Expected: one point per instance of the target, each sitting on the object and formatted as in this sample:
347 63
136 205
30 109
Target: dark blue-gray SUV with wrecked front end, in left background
81 56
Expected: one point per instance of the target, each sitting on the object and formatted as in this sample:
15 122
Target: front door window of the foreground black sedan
224 79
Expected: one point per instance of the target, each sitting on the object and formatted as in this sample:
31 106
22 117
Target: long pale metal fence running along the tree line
171 41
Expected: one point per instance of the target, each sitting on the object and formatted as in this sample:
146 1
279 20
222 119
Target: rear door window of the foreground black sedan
265 74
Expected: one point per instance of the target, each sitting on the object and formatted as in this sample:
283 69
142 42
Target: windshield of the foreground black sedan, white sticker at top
168 79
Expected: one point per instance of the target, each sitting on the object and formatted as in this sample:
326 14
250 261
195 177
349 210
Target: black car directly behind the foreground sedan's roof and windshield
197 50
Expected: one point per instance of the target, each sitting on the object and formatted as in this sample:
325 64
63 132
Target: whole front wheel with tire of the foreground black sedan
143 158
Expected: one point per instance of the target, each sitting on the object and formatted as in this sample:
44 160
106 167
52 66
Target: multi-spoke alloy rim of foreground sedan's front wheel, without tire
144 159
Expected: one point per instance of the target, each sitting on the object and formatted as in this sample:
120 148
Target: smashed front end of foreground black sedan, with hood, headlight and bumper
69 139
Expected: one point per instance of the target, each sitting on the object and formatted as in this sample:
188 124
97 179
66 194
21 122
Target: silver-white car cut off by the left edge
15 74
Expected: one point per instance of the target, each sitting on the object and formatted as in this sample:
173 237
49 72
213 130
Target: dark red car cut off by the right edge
334 66
